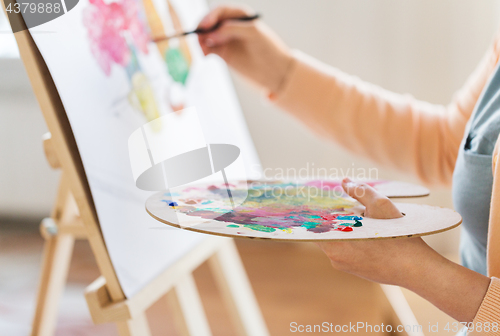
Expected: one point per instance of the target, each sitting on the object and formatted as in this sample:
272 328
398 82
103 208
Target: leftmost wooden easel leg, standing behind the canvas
56 259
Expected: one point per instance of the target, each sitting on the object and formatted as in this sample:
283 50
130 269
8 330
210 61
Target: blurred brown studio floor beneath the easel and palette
292 282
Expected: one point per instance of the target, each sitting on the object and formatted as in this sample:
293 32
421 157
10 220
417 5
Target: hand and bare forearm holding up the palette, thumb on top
407 262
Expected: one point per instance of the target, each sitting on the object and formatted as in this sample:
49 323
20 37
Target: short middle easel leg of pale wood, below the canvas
186 304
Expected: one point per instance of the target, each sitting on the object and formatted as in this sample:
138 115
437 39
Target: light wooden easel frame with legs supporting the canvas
74 217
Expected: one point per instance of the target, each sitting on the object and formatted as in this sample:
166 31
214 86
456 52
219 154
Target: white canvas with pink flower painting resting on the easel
112 80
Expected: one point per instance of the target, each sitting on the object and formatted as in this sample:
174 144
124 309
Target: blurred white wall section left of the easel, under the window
27 184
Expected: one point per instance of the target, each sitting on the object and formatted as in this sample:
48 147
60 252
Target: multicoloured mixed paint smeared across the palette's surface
270 206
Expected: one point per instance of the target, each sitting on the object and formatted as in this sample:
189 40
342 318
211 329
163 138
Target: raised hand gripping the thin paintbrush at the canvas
251 48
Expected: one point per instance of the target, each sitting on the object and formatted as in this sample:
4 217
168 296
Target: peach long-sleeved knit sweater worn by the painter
399 131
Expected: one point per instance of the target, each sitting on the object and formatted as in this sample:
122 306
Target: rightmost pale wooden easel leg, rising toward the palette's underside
236 291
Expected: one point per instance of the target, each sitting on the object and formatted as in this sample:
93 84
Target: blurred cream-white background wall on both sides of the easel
424 47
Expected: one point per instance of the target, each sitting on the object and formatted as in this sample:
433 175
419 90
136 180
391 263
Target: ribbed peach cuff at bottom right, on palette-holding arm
489 312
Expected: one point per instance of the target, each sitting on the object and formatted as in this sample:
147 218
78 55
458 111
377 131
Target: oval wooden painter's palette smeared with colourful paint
310 210
